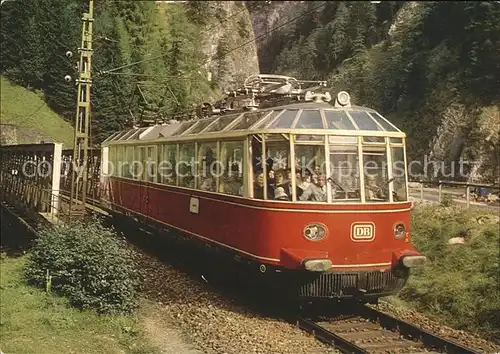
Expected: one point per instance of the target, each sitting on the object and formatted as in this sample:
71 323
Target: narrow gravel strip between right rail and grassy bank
464 338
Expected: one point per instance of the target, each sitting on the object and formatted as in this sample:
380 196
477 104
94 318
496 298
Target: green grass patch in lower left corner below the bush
35 322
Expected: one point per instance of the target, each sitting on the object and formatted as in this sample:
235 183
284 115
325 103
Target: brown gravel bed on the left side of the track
218 325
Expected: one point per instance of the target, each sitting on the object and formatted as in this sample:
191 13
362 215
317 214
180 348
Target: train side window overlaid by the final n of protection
231 176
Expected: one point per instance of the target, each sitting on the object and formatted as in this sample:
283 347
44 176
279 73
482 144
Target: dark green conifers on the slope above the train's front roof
439 53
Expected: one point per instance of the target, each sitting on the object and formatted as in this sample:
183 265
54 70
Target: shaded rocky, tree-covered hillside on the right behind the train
431 67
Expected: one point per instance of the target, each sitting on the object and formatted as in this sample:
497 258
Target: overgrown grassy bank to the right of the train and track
460 284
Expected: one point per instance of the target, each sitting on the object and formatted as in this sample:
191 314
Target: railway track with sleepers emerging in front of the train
371 331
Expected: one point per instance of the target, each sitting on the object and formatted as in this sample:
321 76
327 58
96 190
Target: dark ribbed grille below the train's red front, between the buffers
348 284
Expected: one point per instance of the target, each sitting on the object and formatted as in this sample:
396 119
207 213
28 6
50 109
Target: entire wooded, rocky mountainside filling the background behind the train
433 68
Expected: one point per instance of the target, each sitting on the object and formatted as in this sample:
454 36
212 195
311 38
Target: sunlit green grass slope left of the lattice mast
27 109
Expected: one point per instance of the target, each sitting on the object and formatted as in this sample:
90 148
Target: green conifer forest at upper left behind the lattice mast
37 35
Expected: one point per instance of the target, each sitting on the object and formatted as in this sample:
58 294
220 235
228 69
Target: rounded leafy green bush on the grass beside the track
87 263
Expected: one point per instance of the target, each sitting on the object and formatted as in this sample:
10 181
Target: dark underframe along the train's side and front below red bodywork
364 286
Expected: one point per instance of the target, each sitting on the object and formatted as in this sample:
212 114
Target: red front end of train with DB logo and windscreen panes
348 233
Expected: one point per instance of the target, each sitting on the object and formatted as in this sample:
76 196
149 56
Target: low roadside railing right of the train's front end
484 189
